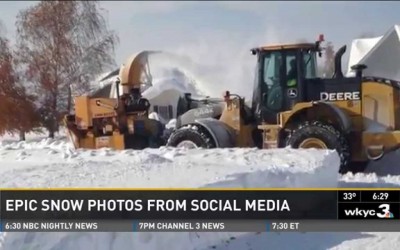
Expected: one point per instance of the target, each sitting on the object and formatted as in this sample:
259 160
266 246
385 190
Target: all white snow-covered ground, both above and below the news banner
42 162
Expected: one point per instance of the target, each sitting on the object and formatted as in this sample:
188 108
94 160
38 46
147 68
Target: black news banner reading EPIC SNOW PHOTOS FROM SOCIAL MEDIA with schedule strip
200 210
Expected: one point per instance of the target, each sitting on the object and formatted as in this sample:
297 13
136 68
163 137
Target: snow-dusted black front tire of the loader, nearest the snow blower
195 134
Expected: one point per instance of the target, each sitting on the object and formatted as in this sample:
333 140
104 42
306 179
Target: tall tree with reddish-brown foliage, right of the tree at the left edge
63 46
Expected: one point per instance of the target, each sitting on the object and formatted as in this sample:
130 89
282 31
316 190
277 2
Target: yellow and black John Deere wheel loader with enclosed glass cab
358 116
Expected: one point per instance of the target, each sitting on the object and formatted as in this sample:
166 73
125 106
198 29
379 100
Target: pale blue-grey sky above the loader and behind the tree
174 25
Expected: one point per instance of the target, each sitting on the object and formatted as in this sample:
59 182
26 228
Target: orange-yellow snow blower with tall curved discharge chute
119 123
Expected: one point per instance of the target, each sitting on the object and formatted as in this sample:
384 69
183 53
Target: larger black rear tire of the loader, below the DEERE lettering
330 136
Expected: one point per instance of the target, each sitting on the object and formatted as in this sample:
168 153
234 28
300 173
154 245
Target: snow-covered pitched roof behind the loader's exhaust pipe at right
381 55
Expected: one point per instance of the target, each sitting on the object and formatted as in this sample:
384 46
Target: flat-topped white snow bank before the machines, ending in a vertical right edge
164 167
